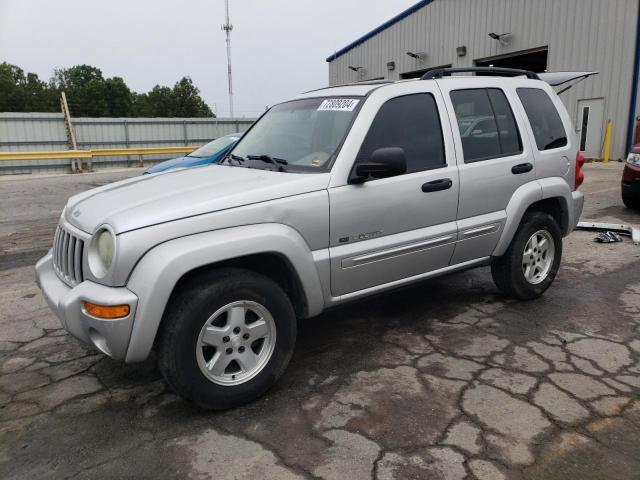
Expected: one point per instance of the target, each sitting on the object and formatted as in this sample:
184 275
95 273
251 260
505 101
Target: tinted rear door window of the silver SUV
486 123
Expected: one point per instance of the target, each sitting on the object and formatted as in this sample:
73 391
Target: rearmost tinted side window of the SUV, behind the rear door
546 124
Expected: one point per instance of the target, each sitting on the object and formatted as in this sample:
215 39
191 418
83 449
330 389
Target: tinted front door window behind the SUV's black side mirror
412 123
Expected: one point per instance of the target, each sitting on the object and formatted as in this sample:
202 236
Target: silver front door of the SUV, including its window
389 230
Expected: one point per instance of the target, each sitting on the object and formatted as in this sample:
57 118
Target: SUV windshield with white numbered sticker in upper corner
301 135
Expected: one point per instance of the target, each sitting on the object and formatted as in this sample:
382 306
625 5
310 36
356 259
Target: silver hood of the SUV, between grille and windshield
151 199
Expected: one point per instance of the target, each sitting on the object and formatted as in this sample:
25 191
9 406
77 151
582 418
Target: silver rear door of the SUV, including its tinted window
494 160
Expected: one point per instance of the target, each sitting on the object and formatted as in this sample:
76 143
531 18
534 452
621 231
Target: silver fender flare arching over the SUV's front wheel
157 273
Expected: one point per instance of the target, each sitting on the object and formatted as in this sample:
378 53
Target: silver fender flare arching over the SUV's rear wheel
528 194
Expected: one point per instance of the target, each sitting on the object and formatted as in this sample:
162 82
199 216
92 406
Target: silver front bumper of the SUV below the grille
109 336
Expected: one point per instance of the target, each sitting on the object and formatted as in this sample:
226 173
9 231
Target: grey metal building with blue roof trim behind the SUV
551 35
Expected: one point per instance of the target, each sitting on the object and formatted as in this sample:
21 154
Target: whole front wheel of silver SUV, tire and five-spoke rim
227 337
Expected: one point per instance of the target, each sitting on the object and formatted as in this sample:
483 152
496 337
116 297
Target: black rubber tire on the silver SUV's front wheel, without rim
186 315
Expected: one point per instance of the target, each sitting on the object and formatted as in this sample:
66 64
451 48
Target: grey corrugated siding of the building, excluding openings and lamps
580 34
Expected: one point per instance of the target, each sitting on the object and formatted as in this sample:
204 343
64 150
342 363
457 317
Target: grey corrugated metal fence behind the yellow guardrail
21 132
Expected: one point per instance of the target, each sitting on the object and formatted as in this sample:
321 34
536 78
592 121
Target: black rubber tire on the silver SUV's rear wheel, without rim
507 270
